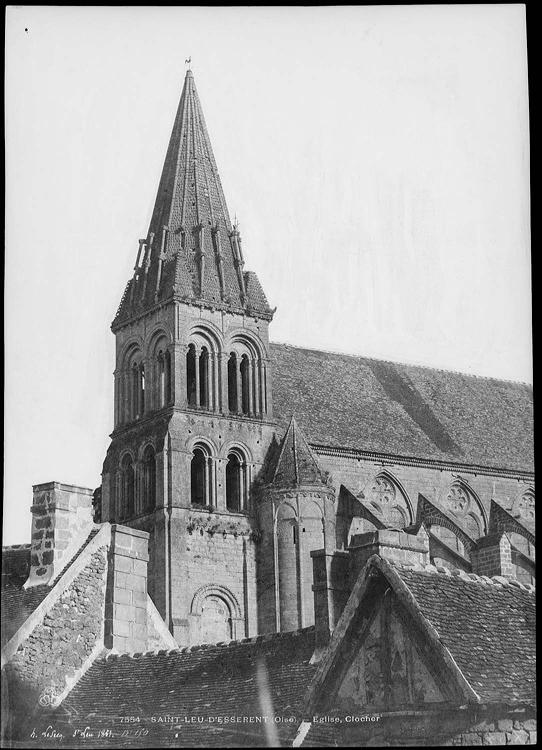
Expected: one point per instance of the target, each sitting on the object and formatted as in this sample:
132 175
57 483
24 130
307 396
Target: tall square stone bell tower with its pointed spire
193 405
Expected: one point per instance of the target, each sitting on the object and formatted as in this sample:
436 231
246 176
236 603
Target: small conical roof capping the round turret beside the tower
296 463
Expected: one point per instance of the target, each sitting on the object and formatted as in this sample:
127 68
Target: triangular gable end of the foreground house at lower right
380 593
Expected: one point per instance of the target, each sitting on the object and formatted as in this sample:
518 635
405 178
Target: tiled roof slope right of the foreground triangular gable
488 625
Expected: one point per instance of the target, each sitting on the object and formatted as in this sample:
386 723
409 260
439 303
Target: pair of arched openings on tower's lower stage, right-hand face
203 479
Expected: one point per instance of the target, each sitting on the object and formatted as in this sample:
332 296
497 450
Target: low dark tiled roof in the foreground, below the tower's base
217 681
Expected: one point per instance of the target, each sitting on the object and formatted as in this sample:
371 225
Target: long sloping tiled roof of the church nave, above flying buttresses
358 403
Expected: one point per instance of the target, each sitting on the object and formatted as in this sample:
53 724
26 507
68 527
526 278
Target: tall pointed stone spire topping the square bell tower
196 254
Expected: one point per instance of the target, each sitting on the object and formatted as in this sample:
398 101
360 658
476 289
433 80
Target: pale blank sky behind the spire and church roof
376 158
